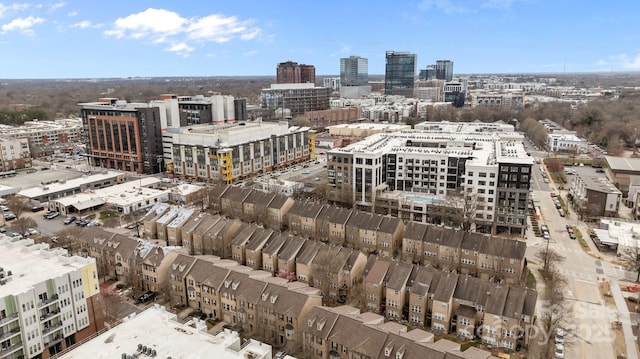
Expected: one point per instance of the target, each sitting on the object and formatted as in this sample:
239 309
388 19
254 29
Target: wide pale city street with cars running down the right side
592 319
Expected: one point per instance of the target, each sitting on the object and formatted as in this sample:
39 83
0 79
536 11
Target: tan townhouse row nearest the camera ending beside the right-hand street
446 302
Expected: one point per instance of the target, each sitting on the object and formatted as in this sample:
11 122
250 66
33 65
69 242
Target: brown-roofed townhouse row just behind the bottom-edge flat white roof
254 302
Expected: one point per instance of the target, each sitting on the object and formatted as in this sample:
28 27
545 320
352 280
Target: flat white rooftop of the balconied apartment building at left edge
31 264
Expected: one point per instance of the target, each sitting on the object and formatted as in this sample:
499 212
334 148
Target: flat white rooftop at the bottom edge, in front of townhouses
157 329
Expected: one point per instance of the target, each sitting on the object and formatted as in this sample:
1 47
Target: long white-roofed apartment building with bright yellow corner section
229 152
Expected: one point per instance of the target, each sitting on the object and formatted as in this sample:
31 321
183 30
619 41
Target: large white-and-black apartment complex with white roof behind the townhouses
465 162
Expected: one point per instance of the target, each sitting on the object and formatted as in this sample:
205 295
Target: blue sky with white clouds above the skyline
89 39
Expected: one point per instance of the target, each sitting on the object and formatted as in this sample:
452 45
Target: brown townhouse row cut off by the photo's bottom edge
345 332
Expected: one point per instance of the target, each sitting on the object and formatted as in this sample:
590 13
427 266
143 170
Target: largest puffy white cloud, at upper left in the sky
164 26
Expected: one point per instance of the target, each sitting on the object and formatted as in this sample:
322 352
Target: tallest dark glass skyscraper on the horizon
400 71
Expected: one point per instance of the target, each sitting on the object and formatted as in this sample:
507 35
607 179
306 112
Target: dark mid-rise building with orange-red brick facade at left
123 136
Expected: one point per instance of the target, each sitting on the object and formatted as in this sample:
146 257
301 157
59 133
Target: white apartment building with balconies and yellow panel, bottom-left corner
45 311
